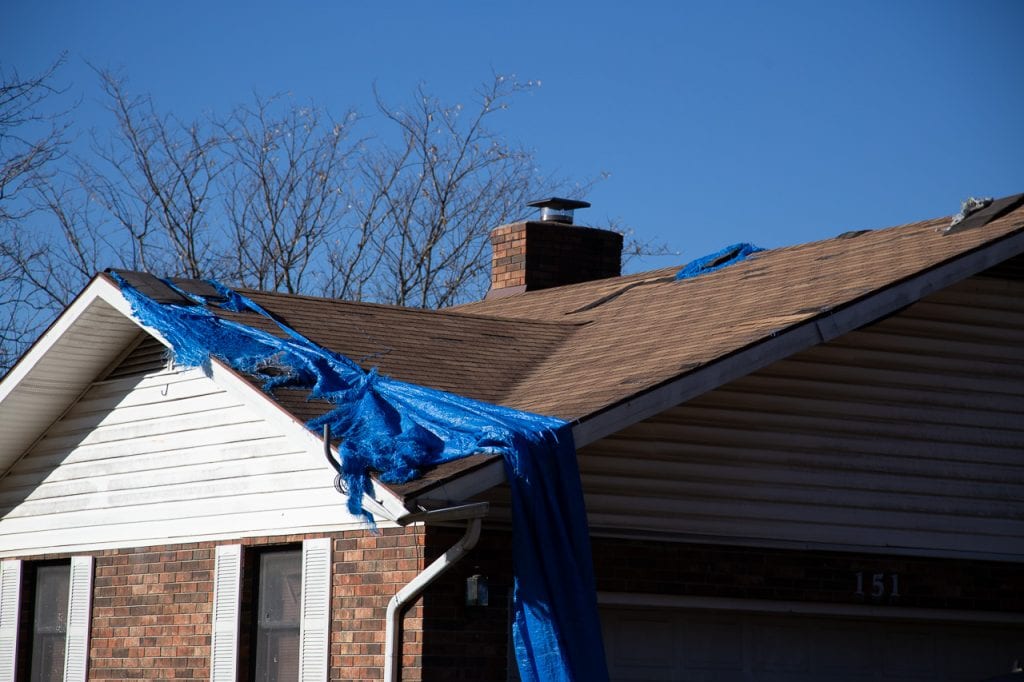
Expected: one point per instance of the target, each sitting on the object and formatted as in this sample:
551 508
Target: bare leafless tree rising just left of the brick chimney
429 204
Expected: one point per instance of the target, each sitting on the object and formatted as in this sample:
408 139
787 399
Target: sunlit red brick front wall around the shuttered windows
152 607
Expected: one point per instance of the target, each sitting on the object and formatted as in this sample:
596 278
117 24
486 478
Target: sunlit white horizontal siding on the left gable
152 454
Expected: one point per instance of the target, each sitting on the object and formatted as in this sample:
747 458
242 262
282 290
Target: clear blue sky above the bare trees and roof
769 122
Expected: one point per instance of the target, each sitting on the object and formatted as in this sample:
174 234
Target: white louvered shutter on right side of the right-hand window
315 628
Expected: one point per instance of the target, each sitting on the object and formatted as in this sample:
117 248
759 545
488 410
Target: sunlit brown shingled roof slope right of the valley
642 331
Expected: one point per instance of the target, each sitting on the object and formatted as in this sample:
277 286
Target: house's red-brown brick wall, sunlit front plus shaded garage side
152 607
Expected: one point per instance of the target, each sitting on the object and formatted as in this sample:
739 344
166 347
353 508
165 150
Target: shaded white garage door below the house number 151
711 647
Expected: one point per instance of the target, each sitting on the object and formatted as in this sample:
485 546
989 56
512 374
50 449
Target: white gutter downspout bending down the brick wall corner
474 515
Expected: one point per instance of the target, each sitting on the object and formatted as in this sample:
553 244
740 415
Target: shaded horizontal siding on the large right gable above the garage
906 435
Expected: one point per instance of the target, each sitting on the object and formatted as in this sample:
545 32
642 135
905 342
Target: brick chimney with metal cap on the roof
551 252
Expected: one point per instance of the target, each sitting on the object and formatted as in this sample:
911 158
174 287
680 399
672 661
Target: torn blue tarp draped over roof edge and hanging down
398 430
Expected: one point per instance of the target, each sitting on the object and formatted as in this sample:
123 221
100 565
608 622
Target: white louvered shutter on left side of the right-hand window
227 600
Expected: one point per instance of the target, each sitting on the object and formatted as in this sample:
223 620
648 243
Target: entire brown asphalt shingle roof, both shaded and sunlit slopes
572 352
